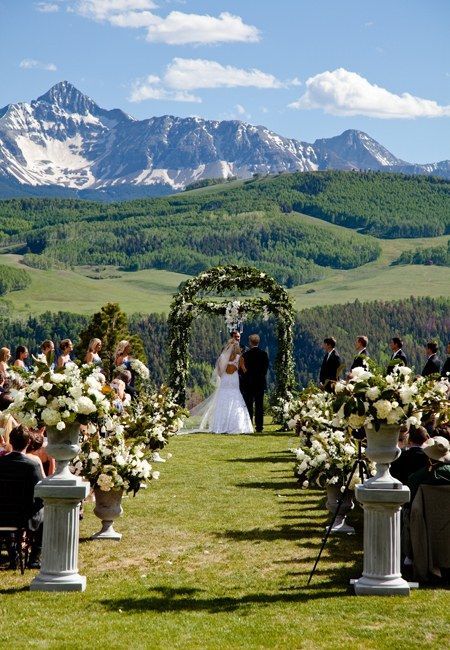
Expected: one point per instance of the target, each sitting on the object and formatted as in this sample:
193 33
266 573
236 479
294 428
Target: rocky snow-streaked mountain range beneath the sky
64 144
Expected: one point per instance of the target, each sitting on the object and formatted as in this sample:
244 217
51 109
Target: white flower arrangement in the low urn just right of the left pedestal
110 464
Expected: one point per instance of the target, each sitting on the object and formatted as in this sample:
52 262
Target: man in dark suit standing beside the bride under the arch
253 383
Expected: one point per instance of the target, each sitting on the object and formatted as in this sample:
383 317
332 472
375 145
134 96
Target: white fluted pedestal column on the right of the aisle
381 574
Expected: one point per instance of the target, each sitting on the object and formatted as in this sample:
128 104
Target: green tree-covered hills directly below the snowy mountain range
253 222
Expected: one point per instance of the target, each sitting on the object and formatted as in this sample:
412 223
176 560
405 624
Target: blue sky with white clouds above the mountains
304 69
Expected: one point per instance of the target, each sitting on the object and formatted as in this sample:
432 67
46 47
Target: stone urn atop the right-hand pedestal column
382 448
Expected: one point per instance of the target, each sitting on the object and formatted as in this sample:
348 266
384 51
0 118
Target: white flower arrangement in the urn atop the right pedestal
370 399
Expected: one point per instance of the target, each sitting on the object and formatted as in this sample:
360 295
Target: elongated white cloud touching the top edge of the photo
177 28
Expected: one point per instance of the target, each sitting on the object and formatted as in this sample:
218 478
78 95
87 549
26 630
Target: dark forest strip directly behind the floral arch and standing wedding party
416 320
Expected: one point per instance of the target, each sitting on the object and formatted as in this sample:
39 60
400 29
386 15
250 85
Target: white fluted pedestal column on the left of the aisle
59 562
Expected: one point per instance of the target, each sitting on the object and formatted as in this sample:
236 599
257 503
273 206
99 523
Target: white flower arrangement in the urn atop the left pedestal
59 397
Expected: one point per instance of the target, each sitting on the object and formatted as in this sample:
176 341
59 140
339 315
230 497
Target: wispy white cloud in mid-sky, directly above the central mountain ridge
189 74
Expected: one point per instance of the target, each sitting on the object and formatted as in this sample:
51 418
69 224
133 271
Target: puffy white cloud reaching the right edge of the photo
341 92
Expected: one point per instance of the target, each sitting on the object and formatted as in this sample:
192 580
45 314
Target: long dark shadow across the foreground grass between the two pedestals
182 600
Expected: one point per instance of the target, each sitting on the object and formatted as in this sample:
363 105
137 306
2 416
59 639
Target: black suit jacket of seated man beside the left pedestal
18 504
